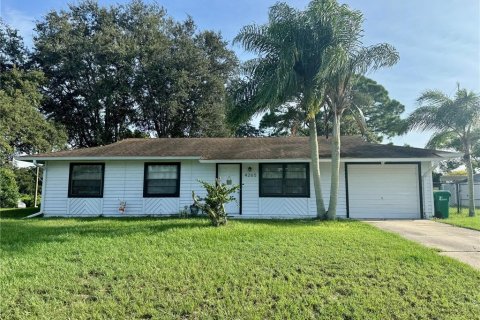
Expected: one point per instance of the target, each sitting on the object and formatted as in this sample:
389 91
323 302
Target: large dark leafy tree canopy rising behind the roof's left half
131 70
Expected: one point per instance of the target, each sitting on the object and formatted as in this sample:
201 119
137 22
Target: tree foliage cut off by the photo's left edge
23 128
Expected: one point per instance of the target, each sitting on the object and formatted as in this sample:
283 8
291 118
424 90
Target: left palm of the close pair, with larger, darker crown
291 51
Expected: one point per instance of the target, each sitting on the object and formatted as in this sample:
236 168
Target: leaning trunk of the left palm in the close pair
316 168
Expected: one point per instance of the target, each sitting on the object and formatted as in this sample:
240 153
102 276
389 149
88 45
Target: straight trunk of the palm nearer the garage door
335 166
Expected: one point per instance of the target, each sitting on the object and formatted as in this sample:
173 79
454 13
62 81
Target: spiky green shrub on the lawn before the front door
218 194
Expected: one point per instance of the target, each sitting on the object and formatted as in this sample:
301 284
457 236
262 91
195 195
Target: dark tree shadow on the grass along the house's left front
19 235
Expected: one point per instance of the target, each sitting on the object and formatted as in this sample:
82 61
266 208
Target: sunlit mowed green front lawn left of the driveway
185 269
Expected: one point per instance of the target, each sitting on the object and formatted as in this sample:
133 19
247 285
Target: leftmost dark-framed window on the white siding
86 180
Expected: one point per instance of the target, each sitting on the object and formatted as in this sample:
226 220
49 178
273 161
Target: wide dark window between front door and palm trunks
284 180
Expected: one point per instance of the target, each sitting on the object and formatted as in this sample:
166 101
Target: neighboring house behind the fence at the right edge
458 187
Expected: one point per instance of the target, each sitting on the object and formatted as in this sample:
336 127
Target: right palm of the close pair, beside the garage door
349 64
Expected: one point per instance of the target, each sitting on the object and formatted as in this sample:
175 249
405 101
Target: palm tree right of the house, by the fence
455 123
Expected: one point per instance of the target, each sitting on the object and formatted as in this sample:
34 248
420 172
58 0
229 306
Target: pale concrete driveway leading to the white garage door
459 243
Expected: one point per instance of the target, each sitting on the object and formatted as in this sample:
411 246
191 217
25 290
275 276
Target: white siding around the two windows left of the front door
123 182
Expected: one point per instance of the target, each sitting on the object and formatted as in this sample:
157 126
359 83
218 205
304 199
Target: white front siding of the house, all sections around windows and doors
124 181
